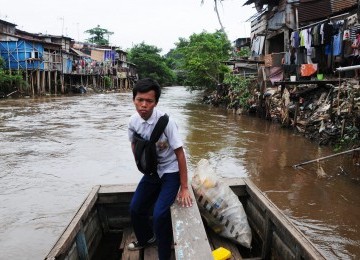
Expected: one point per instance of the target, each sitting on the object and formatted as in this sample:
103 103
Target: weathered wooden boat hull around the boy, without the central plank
104 216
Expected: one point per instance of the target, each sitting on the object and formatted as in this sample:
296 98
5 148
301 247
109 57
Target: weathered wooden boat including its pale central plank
101 229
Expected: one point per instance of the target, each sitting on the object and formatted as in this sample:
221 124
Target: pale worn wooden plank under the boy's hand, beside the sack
190 239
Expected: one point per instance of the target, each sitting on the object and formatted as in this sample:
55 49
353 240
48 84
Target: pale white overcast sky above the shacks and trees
155 22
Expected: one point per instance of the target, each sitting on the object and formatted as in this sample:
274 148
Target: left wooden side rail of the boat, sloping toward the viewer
70 232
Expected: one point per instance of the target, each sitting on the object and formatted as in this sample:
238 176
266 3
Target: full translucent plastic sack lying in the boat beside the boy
219 205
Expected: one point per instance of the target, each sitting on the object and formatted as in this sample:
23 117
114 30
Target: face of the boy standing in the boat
145 103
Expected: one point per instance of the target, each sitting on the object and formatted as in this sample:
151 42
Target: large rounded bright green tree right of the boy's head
201 59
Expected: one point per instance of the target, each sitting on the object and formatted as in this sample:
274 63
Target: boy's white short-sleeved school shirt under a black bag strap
167 143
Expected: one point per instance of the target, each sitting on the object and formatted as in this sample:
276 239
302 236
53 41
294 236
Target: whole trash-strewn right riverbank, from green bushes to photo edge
326 114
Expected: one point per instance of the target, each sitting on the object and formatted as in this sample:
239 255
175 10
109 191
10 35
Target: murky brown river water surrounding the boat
53 150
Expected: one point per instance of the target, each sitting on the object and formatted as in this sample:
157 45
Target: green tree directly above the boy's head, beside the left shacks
150 63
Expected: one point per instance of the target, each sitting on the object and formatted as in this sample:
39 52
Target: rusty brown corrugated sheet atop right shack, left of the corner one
314 10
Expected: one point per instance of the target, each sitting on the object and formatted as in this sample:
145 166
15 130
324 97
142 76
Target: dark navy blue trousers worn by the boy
160 193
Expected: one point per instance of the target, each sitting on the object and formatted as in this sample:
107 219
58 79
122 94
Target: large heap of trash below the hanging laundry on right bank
328 114
